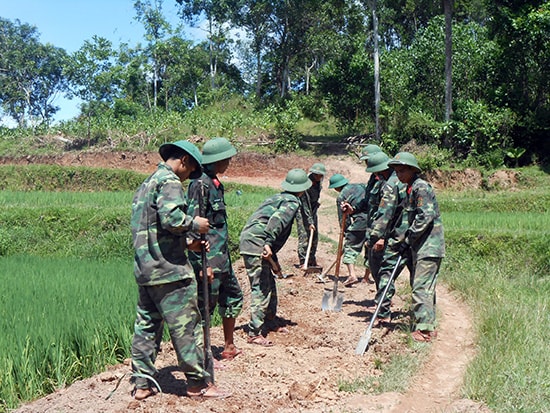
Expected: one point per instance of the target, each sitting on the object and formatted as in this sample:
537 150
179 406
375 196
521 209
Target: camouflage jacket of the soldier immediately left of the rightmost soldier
387 221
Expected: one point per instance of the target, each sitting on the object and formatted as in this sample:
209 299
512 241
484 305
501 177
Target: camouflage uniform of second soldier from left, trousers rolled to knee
225 290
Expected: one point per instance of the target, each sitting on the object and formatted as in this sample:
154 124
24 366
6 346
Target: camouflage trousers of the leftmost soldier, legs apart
176 305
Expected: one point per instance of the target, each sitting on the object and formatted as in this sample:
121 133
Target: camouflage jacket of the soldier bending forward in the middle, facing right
271 224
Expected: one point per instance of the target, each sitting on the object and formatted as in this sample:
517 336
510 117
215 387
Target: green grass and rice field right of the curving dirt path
500 262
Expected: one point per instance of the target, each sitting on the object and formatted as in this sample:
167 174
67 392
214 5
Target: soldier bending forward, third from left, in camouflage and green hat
264 234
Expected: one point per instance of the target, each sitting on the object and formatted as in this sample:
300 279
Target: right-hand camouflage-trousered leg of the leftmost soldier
180 310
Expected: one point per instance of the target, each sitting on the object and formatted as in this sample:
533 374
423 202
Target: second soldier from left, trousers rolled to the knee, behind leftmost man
224 289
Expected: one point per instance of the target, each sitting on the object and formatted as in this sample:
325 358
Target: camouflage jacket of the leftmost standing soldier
159 224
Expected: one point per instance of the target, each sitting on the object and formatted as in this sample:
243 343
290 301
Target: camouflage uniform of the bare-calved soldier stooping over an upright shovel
356 225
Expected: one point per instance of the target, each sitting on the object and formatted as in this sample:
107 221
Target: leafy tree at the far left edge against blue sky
30 73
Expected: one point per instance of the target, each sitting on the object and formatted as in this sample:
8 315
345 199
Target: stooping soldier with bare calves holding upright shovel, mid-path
356 224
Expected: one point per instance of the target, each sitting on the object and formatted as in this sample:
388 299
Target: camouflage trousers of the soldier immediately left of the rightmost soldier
387 265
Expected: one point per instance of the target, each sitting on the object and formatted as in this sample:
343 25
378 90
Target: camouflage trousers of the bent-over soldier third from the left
263 291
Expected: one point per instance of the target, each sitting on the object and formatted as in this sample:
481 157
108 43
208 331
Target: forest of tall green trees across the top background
470 77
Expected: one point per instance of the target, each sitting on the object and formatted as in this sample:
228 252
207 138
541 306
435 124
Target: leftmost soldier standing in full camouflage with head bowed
167 289
